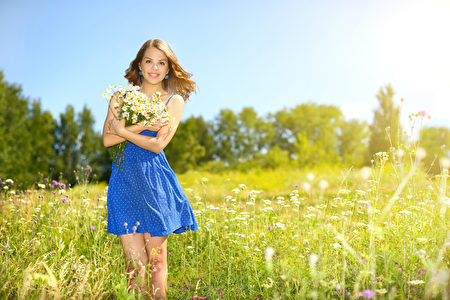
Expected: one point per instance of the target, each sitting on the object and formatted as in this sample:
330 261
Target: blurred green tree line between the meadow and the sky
34 144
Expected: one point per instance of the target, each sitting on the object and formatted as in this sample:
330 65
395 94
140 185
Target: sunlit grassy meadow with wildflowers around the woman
323 233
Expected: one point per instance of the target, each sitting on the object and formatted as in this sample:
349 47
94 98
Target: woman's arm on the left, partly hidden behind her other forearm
110 138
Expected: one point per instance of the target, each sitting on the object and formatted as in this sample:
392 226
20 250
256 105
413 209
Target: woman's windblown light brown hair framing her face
179 81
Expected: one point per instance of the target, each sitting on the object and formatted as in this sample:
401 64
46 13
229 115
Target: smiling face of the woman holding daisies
154 65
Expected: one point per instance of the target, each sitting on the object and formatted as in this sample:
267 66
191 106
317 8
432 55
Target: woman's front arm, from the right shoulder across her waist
162 139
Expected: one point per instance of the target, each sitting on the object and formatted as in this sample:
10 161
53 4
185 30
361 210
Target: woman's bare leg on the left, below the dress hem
136 257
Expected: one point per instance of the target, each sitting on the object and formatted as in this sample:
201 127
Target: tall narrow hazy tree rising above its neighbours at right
385 130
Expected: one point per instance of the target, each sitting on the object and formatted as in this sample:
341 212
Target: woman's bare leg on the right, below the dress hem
156 247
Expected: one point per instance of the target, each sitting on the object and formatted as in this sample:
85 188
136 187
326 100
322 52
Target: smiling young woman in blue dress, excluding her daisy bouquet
145 200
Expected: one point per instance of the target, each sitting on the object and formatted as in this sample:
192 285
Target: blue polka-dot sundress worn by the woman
147 196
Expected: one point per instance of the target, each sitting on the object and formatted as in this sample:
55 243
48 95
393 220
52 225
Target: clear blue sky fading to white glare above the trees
269 55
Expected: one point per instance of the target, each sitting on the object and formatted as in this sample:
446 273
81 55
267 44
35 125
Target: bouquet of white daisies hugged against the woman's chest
136 107
